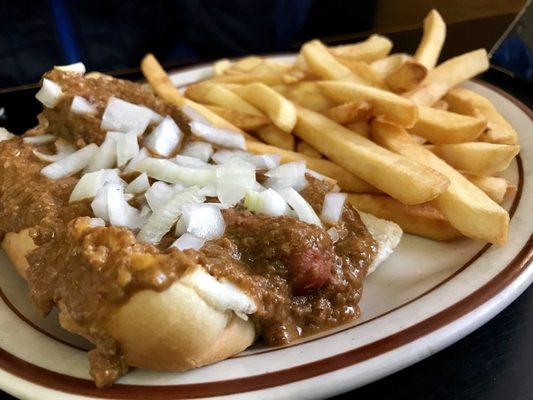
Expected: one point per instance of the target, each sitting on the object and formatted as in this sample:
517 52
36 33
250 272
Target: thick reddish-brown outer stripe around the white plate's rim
65 383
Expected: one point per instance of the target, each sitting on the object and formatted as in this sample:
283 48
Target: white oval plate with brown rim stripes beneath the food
426 296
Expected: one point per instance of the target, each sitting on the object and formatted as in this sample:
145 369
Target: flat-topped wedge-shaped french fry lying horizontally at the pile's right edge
477 158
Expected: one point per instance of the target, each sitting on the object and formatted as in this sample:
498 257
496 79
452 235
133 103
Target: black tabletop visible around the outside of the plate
494 362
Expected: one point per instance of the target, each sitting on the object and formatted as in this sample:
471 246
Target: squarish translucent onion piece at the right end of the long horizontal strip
235 178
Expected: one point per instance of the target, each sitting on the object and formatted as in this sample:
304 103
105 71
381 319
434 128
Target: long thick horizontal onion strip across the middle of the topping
167 171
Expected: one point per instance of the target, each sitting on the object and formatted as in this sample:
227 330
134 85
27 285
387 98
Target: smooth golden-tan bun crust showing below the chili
172 330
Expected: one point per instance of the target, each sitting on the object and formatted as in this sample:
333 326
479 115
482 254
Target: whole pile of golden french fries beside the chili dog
393 130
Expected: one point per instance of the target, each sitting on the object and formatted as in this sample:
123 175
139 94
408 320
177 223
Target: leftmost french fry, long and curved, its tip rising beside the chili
162 85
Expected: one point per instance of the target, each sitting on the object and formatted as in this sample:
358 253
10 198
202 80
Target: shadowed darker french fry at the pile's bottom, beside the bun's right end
422 219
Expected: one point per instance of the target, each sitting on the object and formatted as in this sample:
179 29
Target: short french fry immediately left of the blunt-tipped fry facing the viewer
218 95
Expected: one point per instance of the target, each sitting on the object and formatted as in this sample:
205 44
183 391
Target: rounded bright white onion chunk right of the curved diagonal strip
203 220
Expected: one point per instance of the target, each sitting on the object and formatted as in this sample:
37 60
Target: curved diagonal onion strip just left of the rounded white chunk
165 216
